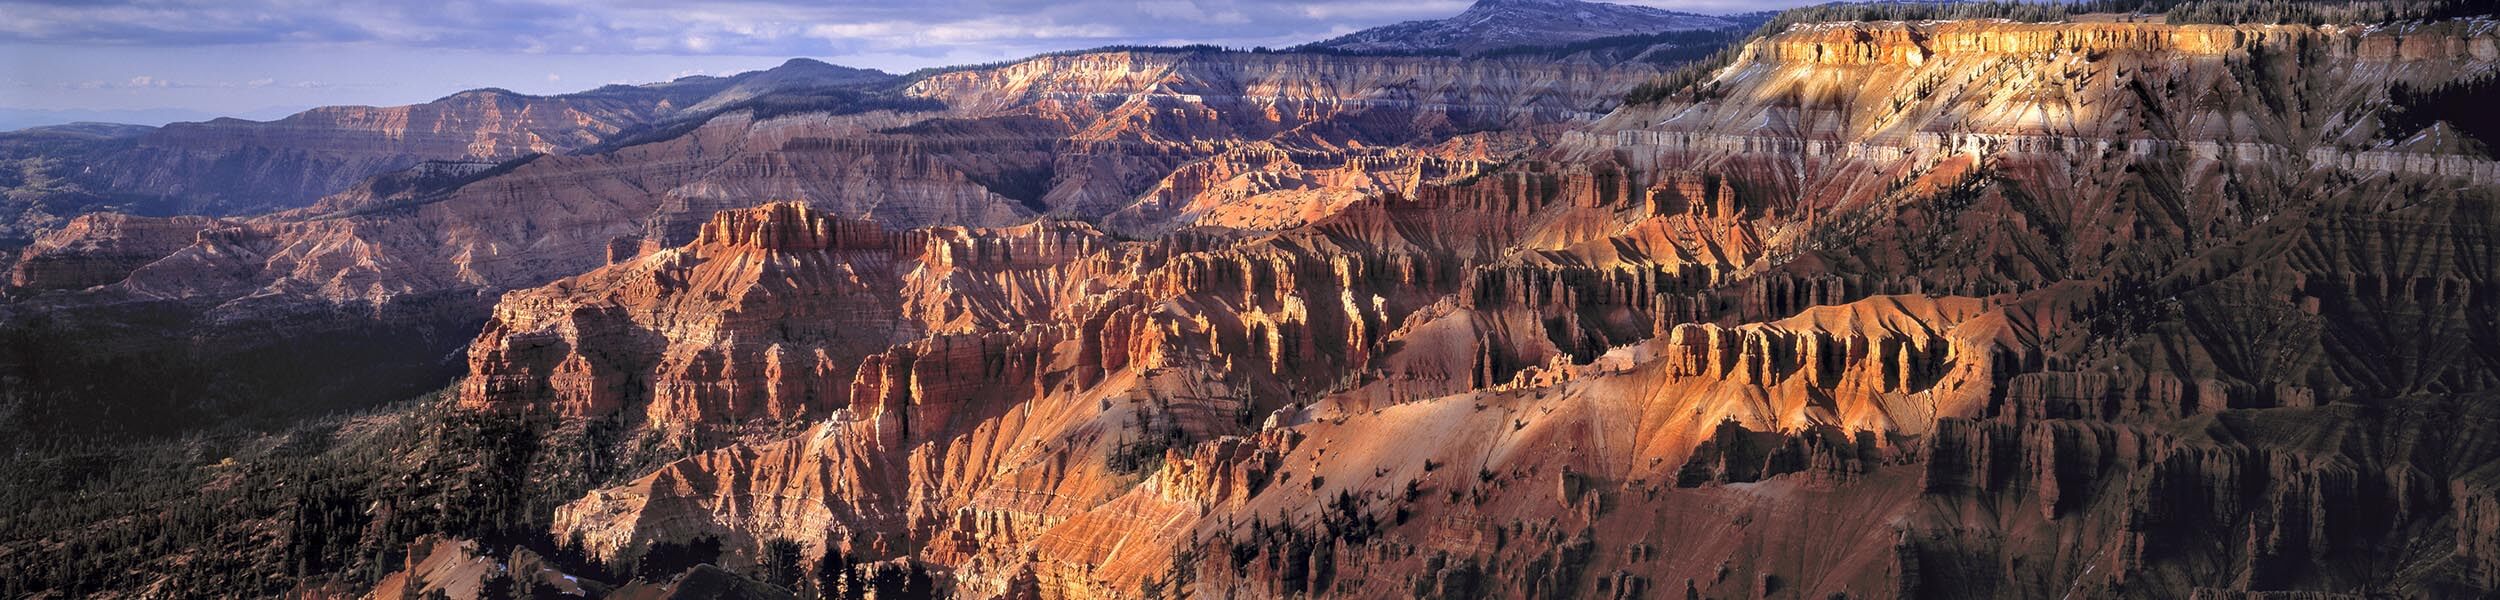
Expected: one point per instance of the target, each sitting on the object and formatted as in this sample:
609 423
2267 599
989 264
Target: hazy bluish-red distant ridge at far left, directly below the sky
241 169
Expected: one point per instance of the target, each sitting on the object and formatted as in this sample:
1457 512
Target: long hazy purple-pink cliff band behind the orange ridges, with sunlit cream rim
1076 136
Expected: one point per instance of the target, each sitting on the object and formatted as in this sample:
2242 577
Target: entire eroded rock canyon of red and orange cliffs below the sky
1896 306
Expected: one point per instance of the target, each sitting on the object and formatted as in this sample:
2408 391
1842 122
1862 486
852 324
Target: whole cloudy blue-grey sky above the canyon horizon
141 61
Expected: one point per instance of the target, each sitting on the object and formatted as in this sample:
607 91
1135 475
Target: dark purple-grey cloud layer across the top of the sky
711 29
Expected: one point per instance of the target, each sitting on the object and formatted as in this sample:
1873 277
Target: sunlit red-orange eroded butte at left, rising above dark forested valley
766 316
